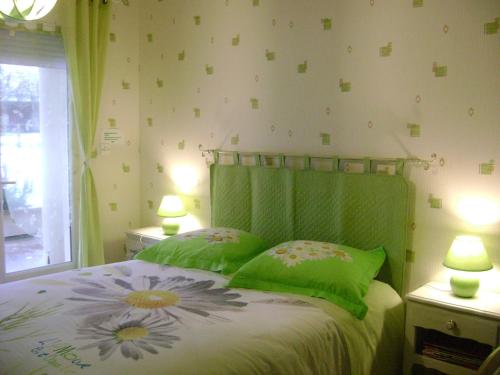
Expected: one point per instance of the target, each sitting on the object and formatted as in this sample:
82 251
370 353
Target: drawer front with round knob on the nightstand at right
454 323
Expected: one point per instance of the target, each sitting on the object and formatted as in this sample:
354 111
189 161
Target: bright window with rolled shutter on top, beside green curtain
34 154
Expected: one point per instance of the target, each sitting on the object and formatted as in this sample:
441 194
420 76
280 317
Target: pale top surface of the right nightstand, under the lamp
485 303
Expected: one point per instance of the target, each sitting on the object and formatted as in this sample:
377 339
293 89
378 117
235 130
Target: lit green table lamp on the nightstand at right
468 254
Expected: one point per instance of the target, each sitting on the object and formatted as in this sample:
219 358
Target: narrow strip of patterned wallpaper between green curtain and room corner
116 167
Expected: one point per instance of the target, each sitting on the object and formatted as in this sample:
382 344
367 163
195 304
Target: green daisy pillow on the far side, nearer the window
213 249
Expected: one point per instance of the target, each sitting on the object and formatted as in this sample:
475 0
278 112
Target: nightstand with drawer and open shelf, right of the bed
447 334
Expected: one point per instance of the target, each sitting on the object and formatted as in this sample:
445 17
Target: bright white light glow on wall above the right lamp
479 210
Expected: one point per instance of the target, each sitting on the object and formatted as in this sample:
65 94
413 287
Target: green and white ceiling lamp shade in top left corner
26 10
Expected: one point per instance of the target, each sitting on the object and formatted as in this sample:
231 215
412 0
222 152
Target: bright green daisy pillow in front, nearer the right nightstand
340 274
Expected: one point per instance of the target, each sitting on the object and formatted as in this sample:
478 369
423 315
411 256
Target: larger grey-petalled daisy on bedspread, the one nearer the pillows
174 297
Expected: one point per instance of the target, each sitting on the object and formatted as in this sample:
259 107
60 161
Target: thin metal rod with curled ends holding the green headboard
426 163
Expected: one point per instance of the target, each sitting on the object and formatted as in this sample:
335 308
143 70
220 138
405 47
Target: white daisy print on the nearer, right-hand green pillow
295 252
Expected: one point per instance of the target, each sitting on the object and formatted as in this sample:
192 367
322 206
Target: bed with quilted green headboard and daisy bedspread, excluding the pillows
141 317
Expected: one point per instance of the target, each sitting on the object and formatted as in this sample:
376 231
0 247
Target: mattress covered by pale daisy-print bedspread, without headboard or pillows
142 318
